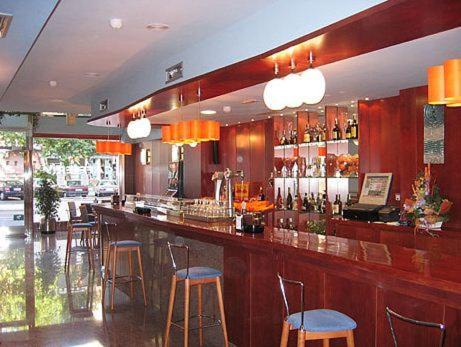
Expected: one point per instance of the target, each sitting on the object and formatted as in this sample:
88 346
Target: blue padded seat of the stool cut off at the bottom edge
322 320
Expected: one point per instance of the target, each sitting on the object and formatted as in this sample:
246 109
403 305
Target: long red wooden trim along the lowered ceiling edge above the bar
383 25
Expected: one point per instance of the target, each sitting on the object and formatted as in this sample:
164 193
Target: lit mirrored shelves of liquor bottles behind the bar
315 164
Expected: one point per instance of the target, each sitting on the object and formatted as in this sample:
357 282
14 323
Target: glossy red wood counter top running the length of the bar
432 268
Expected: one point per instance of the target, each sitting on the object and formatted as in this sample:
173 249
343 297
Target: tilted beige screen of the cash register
375 188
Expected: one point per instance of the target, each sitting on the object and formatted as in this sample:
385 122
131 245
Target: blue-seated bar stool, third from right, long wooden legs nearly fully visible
193 276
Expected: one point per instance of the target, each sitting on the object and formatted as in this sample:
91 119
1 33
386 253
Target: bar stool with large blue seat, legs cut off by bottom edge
320 324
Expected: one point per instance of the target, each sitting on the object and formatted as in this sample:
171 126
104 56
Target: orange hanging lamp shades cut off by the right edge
444 83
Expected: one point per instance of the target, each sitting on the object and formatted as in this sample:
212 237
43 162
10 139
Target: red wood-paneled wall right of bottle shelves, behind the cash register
391 140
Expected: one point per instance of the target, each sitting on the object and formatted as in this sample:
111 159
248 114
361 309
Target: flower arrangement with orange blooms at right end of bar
427 209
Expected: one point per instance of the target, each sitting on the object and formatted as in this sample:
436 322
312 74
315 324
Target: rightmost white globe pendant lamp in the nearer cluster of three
313 84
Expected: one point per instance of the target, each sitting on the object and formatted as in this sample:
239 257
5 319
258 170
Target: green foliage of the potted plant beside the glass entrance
47 195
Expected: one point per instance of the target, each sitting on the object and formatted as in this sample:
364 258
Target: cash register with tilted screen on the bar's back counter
373 197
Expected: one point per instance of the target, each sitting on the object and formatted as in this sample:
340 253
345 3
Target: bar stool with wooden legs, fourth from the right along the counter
110 267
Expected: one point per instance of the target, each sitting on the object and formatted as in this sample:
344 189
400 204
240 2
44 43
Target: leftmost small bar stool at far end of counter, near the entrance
86 230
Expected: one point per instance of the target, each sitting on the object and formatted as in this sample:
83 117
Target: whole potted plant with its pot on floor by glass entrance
47 201
